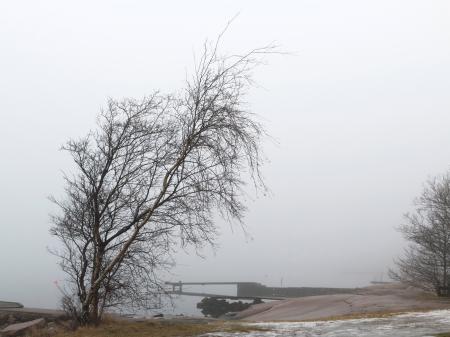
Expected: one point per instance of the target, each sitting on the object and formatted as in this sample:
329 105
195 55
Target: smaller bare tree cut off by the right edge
426 261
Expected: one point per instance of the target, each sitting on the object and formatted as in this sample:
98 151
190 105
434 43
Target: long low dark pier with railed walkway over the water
255 290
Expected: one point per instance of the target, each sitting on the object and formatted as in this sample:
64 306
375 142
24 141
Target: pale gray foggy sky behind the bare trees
360 113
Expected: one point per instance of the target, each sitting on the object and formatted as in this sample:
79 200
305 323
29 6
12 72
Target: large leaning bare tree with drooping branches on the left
151 177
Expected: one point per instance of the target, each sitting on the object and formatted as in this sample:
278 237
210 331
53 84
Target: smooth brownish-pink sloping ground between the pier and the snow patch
380 298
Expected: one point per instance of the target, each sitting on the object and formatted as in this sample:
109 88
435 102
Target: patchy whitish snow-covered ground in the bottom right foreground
407 325
